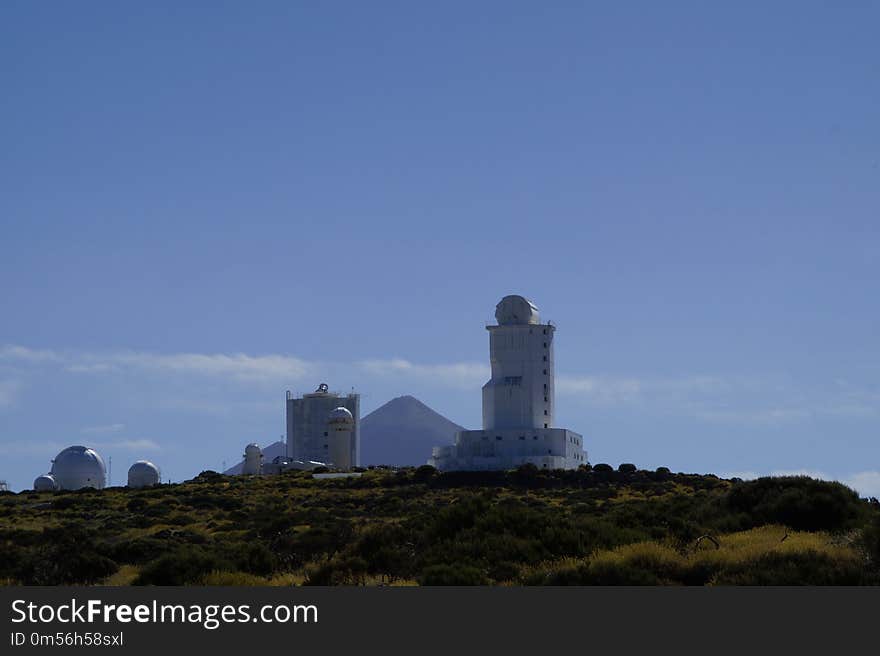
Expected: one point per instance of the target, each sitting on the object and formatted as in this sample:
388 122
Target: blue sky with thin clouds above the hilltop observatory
206 204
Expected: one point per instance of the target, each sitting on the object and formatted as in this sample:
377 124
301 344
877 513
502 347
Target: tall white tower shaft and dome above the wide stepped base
520 392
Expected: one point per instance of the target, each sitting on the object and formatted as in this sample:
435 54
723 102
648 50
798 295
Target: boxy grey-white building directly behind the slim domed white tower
309 429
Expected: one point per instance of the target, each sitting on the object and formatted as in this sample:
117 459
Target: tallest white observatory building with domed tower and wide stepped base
518 401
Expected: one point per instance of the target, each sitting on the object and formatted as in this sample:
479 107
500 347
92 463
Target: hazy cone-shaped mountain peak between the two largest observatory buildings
402 432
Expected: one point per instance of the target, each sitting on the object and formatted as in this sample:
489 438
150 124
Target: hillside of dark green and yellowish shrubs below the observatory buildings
417 526
